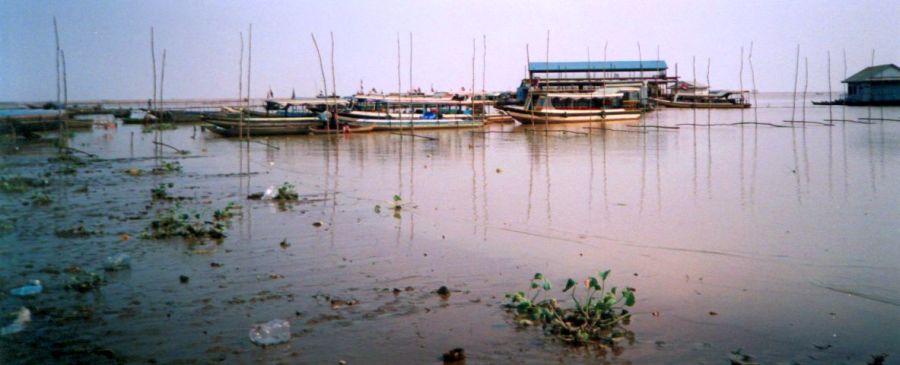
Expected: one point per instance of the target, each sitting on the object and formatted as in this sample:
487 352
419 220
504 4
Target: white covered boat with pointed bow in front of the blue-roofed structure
560 107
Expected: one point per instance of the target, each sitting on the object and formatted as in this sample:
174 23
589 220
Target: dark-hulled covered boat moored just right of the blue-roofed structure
687 95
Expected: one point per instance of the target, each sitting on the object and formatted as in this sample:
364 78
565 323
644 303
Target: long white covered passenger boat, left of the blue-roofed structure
399 112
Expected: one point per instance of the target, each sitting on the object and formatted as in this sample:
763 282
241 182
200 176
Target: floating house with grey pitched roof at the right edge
876 85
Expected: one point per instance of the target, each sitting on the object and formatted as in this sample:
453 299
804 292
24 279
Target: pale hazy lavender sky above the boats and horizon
107 43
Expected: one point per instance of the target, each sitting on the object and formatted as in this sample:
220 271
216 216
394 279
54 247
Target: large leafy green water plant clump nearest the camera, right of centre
596 317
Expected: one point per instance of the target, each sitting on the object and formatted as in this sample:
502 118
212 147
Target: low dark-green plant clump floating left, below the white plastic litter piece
174 223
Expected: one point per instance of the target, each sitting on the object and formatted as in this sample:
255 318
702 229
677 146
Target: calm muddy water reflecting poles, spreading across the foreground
789 235
